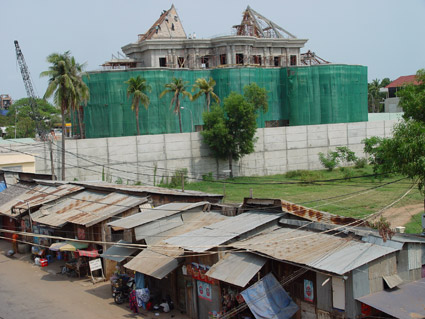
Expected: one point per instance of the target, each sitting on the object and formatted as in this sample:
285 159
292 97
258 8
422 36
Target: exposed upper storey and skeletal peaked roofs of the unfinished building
256 41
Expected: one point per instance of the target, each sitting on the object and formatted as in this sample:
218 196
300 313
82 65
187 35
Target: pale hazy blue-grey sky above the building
387 36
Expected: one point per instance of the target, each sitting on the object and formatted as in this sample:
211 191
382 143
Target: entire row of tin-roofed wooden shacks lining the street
265 258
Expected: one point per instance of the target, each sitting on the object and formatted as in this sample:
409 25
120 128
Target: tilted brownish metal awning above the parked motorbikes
153 264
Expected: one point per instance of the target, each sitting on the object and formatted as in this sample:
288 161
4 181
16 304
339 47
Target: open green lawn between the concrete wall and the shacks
323 190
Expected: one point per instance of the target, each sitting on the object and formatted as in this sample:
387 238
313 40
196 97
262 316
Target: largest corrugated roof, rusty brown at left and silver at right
317 250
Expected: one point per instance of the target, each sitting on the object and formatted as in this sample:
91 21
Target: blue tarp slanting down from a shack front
268 300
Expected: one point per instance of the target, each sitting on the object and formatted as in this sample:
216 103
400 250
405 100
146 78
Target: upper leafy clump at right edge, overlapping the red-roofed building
412 98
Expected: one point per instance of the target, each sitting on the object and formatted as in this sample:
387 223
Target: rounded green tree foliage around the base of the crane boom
21 111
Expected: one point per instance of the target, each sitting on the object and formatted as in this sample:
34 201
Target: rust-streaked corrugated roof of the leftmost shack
37 196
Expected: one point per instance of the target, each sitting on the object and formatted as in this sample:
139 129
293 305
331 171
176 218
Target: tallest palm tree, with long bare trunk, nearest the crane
62 86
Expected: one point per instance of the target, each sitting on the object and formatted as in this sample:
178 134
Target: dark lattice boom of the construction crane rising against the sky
35 115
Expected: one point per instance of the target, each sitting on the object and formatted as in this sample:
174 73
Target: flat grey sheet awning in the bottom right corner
406 302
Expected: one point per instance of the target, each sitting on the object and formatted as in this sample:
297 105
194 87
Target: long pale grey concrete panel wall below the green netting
150 158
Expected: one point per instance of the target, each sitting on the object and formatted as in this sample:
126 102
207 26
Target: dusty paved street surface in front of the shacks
27 288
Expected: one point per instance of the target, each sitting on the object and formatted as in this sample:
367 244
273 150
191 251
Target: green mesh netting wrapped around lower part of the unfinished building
319 94
